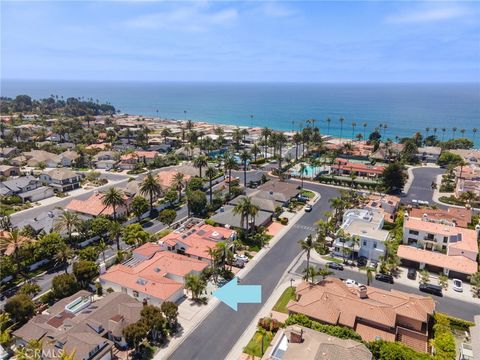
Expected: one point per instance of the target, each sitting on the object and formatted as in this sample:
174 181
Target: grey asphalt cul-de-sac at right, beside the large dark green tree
421 188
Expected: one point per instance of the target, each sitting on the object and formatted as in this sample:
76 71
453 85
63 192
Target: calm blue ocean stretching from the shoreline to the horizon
405 108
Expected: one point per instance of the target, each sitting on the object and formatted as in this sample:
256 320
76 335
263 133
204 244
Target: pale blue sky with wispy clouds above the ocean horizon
368 41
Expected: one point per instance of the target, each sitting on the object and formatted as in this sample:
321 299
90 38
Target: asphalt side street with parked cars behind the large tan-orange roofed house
455 307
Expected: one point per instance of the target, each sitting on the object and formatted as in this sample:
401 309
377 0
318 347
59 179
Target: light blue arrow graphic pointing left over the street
232 294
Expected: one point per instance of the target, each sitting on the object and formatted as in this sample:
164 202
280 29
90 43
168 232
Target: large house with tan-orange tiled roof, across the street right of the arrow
375 314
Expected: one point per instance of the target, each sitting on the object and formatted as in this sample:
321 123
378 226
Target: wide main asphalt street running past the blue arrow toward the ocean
221 329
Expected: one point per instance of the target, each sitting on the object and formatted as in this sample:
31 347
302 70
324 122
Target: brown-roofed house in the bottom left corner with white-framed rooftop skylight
82 326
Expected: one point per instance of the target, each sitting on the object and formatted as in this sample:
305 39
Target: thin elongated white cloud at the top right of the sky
429 14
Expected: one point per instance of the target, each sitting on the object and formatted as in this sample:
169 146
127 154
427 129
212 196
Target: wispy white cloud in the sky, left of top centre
191 19
